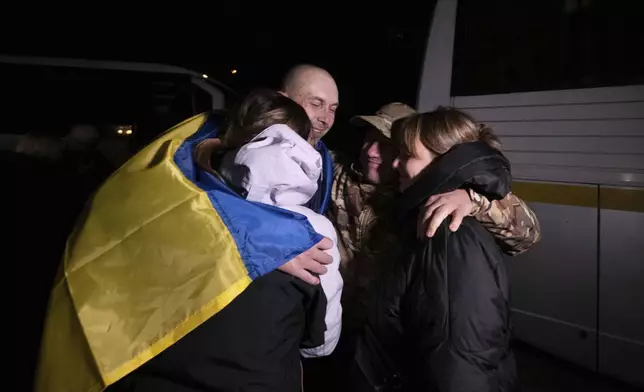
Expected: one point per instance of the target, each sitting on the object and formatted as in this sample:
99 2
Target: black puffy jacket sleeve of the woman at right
456 314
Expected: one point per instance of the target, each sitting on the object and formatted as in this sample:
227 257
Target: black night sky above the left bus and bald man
374 53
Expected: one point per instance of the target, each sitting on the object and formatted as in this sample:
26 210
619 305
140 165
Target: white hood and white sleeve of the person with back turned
280 168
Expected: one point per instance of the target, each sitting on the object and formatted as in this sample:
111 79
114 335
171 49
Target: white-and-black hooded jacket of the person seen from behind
254 344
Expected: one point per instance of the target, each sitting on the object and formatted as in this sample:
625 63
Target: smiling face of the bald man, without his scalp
319 98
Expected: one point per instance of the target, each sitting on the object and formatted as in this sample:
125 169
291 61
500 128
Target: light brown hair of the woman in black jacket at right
440 130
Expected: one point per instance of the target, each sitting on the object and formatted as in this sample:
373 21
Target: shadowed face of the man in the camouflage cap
376 157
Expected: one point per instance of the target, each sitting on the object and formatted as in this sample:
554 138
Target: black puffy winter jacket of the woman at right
440 320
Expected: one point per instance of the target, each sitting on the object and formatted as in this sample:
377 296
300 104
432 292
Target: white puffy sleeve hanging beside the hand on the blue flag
331 283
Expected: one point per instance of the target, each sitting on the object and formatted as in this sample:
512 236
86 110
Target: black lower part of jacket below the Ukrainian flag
250 345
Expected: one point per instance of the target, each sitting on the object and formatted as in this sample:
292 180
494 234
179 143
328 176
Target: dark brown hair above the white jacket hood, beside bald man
259 110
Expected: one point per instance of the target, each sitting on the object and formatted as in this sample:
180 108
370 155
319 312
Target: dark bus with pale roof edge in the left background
130 103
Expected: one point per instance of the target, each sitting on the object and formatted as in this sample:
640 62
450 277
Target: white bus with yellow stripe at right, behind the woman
564 88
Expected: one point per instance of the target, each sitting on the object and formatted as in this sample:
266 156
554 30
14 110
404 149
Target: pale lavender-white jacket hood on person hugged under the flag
277 167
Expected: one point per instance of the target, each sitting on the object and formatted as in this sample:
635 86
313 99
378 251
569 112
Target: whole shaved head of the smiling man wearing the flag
315 90
